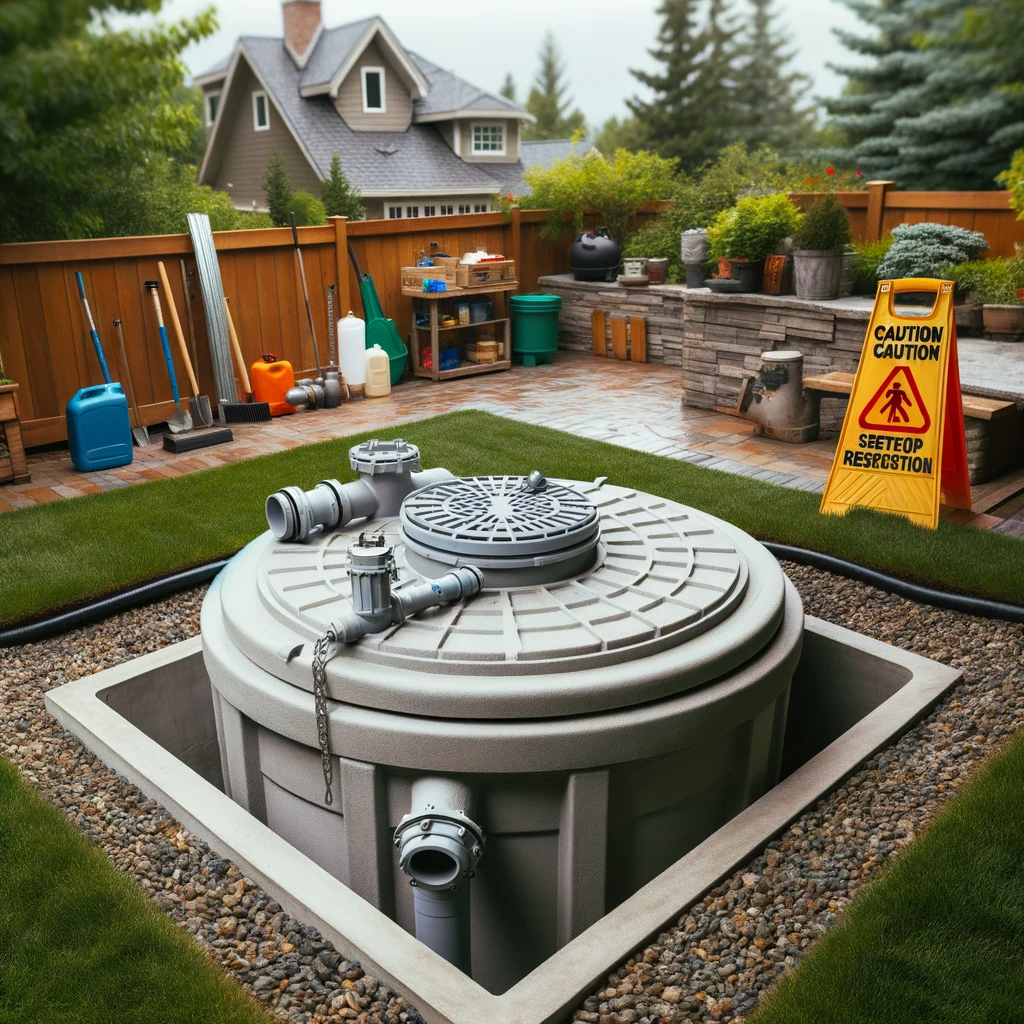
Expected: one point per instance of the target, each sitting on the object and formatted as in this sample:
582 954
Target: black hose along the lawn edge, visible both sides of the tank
48 628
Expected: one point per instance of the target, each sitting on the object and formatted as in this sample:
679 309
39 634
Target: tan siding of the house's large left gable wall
245 152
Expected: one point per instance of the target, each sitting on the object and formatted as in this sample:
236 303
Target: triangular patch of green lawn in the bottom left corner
81 945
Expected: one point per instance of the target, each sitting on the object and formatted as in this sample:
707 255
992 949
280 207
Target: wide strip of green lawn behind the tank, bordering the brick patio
58 554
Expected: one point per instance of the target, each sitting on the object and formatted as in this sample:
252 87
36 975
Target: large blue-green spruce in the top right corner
932 111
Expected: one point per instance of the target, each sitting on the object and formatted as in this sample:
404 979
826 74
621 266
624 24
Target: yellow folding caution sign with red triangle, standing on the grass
903 448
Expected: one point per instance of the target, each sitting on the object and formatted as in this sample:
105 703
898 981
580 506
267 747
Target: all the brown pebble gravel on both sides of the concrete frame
710 967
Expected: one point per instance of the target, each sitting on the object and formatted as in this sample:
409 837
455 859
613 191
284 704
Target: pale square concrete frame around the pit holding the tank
442 993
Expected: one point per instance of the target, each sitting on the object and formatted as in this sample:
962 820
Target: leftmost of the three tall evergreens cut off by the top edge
694 113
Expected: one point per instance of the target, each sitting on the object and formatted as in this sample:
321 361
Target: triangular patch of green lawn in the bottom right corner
938 937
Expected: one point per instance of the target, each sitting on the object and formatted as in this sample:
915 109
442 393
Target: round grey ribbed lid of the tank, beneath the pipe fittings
670 603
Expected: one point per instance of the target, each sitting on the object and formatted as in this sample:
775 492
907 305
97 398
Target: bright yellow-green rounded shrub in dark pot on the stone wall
750 232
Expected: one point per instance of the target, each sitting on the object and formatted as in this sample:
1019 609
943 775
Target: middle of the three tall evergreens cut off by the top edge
769 92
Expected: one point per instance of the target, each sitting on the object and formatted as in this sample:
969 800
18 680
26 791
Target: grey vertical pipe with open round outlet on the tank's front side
440 847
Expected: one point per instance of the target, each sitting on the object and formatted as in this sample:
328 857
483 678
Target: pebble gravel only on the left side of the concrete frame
285 963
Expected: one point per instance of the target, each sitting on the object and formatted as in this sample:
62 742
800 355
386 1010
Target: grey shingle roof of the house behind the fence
415 160
